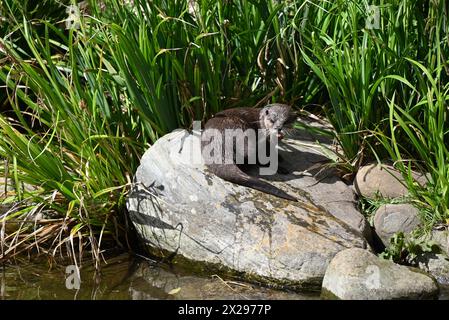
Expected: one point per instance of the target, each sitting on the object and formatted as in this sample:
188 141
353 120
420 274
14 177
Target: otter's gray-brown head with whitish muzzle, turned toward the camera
274 118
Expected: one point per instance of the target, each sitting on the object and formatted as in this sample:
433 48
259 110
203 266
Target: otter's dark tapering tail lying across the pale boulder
232 173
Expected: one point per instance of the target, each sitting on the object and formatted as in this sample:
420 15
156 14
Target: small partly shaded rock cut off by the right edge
436 264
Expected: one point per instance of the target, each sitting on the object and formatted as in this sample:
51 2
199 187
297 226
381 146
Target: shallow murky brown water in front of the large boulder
125 277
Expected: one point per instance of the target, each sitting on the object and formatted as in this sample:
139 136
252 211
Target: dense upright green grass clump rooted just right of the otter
359 65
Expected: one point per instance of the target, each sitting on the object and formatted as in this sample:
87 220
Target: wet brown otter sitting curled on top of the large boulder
268 121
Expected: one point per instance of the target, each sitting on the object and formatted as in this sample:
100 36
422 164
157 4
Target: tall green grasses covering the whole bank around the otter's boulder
85 88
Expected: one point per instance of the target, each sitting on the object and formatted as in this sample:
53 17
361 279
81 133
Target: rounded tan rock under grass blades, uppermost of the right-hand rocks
384 180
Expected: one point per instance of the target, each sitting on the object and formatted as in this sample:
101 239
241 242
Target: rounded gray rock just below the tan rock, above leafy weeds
392 218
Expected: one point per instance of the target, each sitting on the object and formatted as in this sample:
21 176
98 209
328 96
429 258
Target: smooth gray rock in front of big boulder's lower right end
356 274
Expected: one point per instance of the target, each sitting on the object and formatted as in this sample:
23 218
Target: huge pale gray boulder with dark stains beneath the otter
177 207
